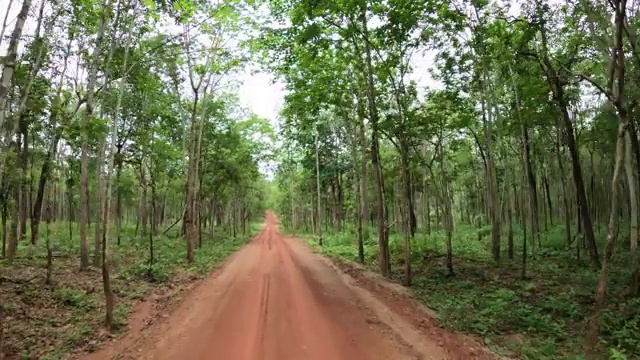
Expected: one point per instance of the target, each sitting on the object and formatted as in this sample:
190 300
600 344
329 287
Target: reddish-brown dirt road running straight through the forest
277 300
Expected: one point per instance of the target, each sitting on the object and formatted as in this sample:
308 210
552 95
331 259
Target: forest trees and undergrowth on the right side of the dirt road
482 153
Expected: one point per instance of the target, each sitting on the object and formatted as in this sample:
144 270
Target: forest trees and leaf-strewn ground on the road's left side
128 166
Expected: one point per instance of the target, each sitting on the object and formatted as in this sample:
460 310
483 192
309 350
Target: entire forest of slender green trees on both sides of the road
484 155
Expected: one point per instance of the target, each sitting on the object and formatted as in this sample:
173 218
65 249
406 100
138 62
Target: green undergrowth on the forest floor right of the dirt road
543 316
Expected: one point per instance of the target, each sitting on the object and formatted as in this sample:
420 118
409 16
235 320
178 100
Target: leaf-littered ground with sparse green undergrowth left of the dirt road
52 321
